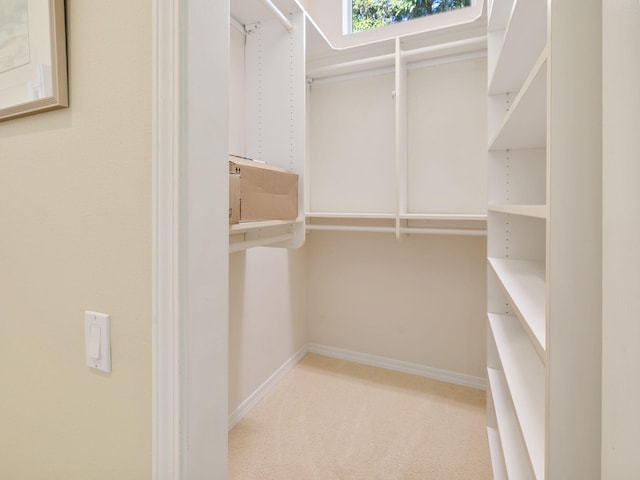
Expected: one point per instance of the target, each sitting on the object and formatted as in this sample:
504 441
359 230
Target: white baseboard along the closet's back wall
400 366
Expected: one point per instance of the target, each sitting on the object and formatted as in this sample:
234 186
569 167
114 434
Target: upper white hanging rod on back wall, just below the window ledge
389 58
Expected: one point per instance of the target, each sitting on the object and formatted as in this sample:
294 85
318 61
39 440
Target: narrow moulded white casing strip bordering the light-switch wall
166 447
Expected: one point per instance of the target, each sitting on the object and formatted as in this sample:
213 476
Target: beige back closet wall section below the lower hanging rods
419 300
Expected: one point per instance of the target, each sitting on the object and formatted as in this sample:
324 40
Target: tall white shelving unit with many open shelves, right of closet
543 240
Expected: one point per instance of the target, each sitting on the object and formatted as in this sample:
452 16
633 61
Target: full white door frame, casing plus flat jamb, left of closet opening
190 239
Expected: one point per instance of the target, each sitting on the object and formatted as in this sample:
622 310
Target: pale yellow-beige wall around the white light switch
75 211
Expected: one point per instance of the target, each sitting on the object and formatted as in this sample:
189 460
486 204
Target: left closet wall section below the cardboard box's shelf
267 312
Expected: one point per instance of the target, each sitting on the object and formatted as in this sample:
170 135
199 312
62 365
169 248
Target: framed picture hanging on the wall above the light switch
33 57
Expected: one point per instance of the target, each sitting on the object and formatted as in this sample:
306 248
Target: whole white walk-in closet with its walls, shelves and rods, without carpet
443 174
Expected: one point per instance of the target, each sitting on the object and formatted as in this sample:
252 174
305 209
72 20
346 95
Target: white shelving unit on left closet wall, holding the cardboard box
274 101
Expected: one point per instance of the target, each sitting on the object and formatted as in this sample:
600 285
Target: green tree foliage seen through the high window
376 13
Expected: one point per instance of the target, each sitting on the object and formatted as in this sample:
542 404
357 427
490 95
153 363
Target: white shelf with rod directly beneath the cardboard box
276 233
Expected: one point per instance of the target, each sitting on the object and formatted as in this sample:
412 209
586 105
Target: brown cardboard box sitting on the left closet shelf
266 192
